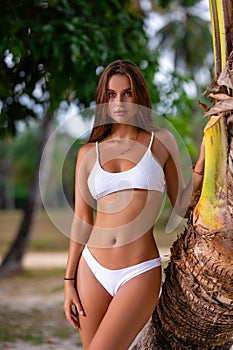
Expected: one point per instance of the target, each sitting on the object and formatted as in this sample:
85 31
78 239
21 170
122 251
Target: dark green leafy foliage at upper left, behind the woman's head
54 50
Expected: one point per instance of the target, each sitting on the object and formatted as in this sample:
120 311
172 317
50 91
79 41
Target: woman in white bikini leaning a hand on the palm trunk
113 274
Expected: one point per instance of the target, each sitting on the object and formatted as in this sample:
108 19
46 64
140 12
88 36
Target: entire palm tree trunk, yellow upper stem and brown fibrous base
195 310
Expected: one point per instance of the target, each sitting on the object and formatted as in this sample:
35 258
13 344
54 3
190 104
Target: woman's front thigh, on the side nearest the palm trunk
128 312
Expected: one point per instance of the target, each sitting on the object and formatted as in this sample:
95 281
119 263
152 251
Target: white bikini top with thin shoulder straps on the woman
146 174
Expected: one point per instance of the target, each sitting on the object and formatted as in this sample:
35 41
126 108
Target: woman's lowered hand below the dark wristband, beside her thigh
72 306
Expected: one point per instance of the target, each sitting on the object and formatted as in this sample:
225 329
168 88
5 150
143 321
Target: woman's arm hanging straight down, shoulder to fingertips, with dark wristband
80 232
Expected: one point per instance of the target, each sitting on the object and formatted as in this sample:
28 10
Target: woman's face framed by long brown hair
121 104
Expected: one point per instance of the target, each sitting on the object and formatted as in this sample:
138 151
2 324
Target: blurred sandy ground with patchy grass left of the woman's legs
31 308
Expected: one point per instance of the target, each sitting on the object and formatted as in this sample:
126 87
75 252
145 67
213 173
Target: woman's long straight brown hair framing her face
103 123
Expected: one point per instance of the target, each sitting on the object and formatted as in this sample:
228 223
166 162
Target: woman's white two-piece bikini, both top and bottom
147 174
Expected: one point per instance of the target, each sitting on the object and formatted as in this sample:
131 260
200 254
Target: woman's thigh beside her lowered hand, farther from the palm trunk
95 301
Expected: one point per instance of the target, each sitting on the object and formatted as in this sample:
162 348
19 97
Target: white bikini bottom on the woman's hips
112 280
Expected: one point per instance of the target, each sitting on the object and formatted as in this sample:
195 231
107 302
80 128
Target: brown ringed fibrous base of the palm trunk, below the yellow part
195 310
